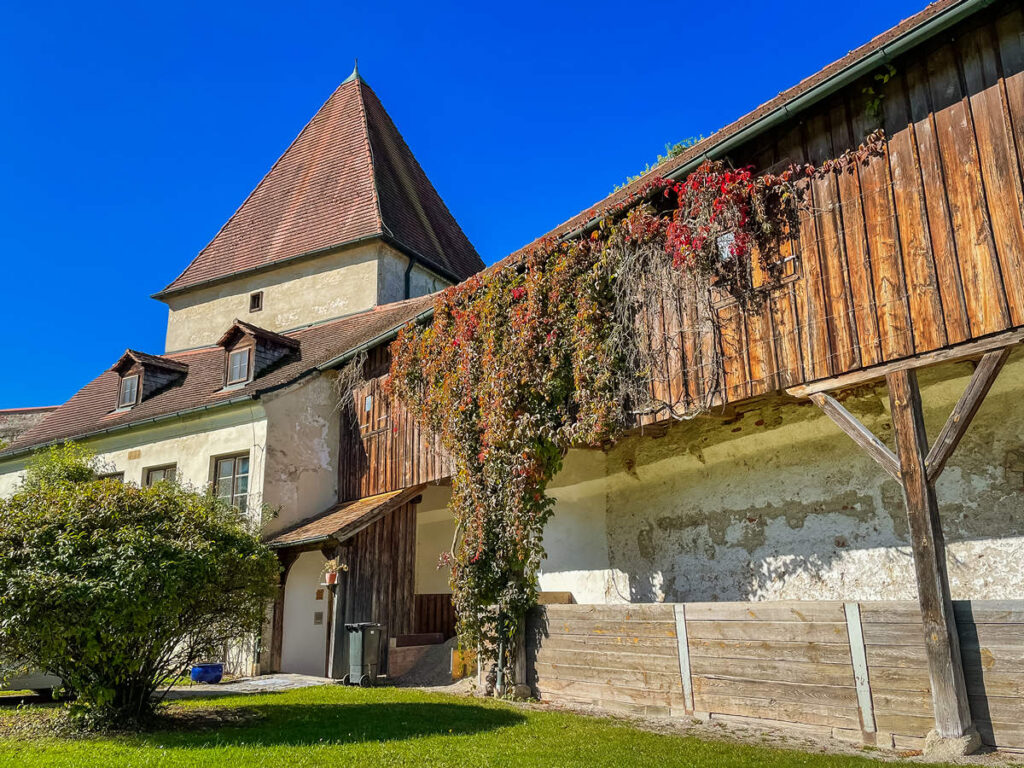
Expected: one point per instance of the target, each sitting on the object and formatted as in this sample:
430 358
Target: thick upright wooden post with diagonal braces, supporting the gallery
953 711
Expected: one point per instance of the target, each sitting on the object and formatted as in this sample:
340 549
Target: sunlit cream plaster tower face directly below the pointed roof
296 294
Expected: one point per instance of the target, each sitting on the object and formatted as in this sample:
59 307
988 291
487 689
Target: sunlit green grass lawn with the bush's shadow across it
340 728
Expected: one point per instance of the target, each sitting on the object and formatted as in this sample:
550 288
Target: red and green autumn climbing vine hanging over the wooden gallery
545 352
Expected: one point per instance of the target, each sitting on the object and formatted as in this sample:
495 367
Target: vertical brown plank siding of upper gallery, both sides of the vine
909 254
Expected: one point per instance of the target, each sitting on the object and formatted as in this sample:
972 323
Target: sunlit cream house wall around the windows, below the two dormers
191 443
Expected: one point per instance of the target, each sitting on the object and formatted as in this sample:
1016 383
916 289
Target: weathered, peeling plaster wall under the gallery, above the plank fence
782 505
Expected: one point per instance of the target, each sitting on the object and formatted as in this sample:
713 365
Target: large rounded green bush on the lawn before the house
116 588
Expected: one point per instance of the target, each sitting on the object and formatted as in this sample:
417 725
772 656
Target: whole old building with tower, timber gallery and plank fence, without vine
837 544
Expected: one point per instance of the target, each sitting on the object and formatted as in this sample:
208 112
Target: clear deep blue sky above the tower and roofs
132 133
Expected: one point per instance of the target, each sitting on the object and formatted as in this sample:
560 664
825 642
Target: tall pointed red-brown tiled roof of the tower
349 177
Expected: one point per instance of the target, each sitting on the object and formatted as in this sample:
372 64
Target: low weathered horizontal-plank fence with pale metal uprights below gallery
855 671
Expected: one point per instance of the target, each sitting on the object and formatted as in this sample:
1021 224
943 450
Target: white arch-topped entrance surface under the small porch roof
304 650
